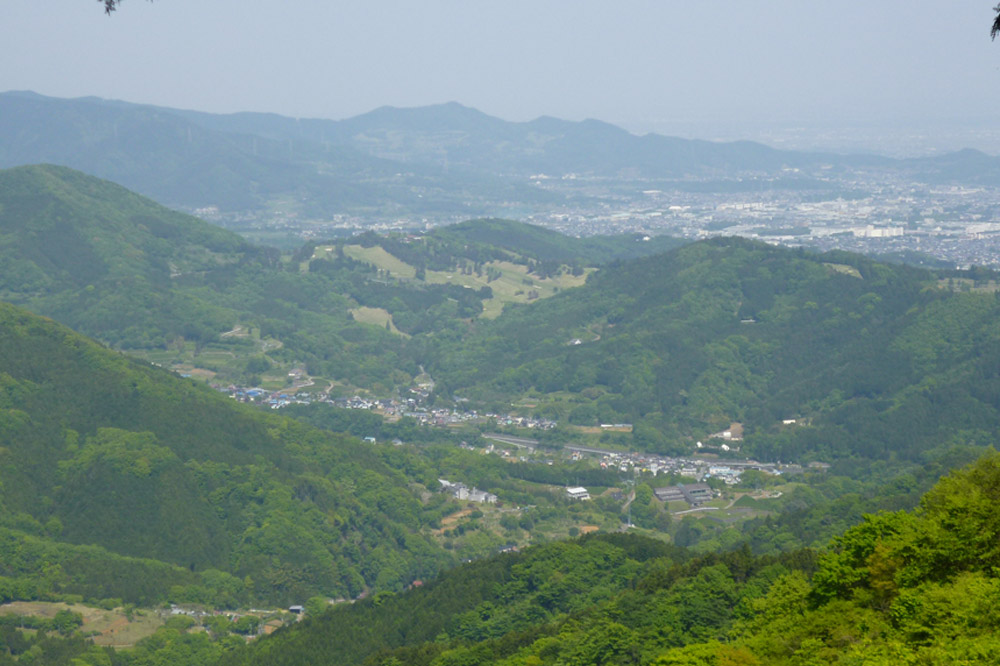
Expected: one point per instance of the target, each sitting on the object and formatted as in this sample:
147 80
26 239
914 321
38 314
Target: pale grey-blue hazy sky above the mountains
687 66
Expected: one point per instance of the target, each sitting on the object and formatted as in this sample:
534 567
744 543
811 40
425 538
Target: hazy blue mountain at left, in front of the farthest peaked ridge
164 155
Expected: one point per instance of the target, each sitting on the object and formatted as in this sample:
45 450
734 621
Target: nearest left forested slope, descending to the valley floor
96 448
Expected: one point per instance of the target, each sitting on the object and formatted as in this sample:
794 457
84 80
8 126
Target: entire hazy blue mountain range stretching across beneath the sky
441 158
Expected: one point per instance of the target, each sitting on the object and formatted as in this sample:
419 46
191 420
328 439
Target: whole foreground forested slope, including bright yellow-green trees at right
898 588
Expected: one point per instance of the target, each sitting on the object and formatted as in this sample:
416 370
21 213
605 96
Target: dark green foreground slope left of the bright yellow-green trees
515 593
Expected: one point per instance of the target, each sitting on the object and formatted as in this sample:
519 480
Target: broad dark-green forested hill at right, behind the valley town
868 359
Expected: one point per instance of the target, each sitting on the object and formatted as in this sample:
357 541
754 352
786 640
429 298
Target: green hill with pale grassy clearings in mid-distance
481 264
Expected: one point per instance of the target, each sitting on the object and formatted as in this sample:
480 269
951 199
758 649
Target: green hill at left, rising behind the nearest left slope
119 267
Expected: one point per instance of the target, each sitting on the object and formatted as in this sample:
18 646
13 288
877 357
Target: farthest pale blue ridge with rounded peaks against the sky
451 134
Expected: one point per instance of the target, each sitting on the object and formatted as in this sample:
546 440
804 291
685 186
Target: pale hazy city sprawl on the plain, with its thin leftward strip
870 212
